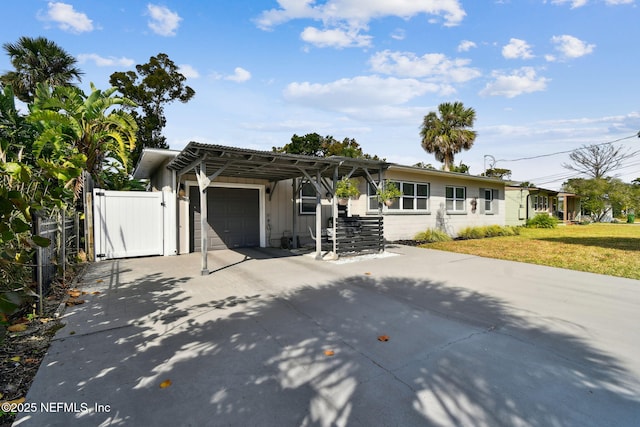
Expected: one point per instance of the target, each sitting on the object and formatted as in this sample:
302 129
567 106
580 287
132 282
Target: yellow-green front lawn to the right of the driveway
611 249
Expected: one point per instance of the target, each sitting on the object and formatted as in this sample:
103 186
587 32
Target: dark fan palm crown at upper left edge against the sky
38 60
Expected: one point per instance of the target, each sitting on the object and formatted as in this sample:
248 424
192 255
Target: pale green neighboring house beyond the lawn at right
524 203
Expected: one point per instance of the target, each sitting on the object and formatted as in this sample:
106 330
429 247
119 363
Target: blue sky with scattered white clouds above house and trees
544 76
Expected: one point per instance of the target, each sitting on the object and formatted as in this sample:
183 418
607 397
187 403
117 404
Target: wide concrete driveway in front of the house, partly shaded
471 342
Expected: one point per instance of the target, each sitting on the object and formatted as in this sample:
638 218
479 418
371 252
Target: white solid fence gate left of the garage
128 223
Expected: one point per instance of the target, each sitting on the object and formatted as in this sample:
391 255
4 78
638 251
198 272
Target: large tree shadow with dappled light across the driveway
454 357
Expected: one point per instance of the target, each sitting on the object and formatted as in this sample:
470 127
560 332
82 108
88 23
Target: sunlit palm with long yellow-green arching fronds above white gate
71 120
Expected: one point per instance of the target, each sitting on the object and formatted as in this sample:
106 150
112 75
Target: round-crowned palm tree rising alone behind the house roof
449 133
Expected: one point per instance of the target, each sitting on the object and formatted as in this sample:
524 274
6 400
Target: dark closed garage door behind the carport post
233 217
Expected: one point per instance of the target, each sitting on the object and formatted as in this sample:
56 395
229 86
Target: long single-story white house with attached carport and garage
250 194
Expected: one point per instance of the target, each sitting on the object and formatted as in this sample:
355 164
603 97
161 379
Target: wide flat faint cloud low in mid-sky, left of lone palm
349 95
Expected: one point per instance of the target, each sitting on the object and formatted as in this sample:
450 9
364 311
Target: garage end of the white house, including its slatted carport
244 205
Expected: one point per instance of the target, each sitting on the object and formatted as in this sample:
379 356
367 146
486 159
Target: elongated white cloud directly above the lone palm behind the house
435 66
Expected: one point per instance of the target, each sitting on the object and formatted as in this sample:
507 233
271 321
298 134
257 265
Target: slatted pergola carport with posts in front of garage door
209 162
